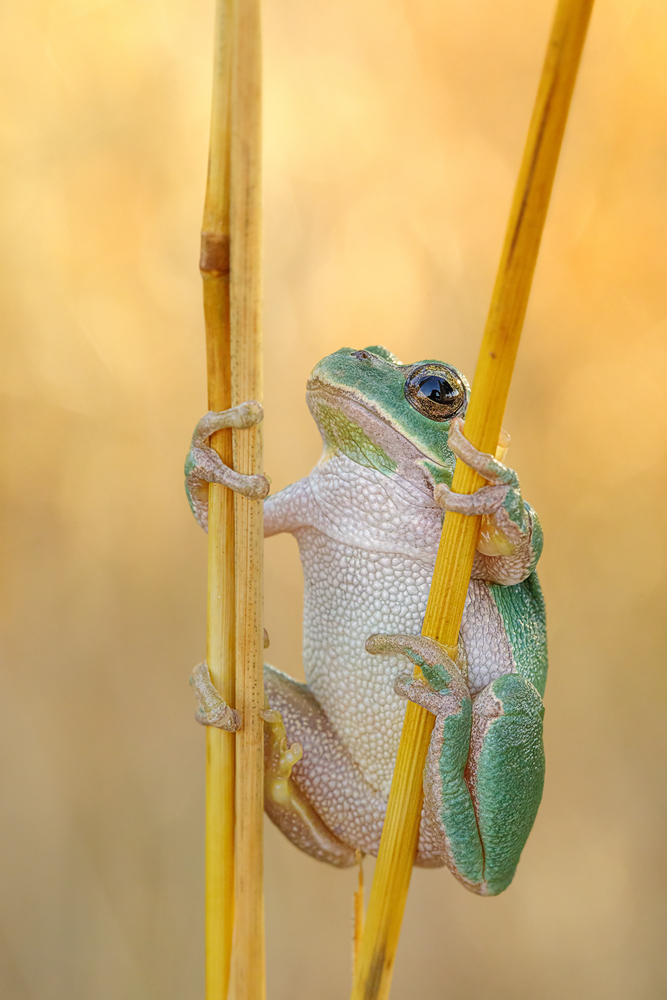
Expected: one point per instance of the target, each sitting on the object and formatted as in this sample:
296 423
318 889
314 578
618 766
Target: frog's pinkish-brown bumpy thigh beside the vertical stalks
331 810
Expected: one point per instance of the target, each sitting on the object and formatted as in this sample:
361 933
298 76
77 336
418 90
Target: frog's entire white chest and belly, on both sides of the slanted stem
368 555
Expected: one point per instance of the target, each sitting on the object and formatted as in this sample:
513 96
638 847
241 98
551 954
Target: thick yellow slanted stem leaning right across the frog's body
460 533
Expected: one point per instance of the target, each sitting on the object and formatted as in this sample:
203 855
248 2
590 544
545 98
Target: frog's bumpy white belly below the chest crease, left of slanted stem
350 593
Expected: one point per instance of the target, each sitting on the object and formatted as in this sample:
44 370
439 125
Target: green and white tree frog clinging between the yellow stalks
367 520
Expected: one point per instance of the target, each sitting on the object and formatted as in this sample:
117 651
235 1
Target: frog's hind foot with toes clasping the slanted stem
443 686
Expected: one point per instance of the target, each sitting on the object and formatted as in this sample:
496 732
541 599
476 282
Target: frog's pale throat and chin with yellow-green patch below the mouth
353 425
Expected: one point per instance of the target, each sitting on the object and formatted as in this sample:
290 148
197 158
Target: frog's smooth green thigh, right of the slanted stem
505 773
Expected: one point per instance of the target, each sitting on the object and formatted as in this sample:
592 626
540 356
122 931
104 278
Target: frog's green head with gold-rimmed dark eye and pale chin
387 416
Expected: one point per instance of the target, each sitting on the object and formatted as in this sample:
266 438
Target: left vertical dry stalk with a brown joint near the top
220 638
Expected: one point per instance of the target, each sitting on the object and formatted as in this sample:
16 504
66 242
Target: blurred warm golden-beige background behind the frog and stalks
393 134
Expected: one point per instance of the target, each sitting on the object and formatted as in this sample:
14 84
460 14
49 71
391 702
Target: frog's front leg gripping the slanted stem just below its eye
510 540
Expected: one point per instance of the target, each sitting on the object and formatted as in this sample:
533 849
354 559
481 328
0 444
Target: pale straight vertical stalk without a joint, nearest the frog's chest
248 973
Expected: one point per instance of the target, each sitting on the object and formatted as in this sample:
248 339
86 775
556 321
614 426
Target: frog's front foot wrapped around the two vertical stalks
203 465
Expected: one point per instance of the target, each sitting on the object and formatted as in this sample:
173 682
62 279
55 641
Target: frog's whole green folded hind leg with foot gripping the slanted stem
485 765
